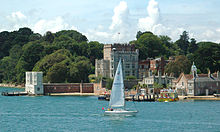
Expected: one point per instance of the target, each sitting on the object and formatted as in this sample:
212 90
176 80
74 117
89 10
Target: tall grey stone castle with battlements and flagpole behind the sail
112 53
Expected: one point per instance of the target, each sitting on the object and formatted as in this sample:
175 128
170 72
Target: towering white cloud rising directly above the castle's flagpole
121 29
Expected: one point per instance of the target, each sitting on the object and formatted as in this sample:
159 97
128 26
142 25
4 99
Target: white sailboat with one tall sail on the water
117 99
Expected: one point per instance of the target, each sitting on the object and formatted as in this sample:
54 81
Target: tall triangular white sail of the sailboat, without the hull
117 95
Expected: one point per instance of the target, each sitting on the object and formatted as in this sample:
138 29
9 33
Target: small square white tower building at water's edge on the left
34 84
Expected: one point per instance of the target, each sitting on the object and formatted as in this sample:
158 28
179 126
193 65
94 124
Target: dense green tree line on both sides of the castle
68 56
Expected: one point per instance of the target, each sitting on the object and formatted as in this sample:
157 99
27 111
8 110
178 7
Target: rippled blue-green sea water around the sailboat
84 113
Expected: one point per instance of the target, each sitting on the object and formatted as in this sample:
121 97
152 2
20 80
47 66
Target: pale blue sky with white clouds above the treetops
115 21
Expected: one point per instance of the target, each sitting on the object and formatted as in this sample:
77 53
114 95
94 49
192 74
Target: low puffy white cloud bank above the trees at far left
18 20
